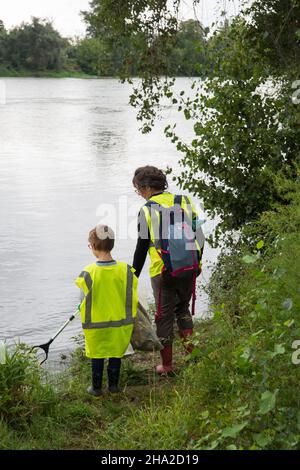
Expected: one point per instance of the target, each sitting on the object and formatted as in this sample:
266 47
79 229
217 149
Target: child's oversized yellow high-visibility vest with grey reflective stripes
108 309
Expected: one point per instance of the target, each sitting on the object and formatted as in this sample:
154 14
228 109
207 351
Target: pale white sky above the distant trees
65 14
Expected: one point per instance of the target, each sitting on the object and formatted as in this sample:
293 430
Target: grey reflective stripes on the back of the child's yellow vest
88 304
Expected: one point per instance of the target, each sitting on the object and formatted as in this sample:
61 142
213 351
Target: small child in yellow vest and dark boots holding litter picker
108 309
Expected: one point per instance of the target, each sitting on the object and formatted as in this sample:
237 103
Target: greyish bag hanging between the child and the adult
144 337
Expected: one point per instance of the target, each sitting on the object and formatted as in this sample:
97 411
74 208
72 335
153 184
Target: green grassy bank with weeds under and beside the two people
239 391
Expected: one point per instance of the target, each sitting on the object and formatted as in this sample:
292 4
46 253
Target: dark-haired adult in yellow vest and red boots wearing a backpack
172 294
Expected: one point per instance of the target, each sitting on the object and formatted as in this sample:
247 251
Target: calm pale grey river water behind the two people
68 151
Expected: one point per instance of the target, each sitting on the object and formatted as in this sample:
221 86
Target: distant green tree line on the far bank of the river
37 47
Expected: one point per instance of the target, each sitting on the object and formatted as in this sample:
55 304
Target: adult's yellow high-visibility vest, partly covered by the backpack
165 200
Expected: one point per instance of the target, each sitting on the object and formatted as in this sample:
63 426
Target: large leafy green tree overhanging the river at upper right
245 123
